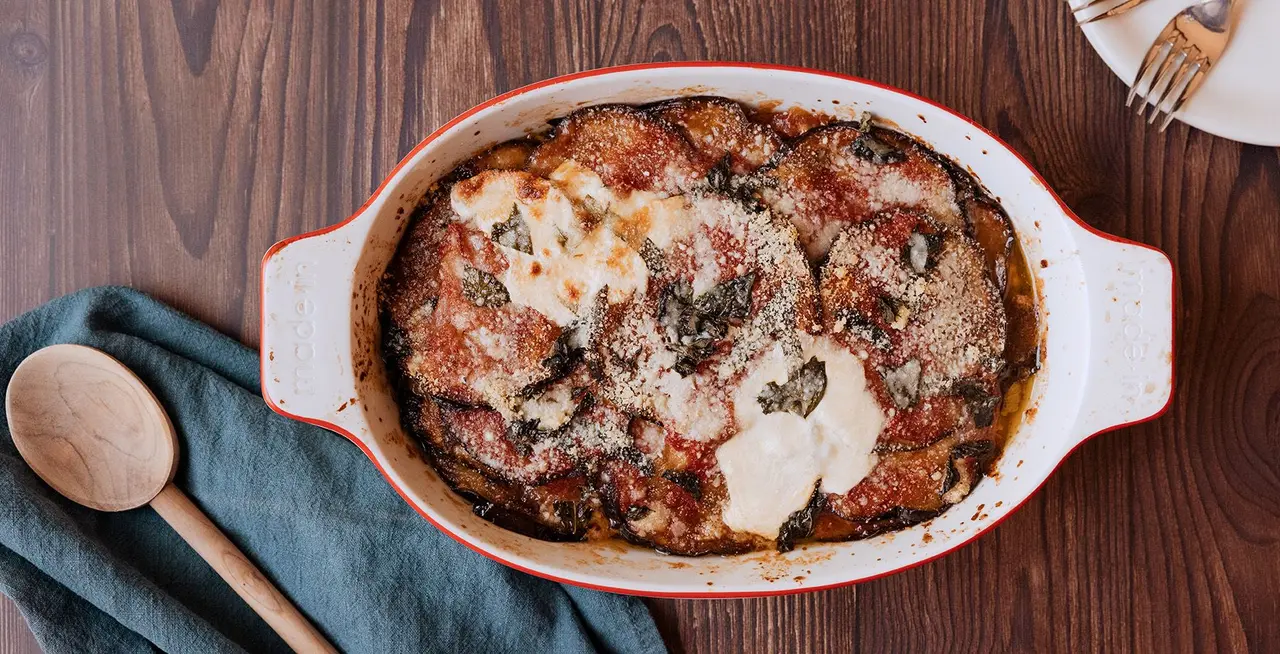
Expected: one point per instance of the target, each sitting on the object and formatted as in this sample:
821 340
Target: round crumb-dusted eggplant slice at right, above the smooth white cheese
934 313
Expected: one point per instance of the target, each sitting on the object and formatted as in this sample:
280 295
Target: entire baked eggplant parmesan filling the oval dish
710 330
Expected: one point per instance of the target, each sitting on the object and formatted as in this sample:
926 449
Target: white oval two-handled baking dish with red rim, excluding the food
1107 303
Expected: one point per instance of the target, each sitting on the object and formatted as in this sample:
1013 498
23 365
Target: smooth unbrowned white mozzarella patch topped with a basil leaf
775 461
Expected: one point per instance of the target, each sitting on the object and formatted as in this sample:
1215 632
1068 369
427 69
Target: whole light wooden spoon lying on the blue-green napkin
92 429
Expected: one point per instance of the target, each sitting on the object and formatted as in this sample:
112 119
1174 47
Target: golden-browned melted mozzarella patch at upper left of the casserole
569 264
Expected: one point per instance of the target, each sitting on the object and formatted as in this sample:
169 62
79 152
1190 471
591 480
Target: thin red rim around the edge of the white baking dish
700 594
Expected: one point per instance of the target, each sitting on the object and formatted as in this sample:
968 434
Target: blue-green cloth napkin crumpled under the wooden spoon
305 505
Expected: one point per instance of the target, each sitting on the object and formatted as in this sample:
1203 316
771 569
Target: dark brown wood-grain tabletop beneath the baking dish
166 145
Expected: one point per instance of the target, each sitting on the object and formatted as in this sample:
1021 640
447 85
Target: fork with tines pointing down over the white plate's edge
1181 57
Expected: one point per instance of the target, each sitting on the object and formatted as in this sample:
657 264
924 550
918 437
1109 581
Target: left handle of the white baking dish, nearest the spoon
307 342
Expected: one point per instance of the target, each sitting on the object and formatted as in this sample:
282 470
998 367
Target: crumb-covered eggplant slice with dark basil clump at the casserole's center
734 283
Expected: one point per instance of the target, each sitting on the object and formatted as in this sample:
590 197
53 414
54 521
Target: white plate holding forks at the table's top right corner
1241 98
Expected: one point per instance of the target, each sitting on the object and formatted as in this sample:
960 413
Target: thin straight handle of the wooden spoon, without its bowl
244 577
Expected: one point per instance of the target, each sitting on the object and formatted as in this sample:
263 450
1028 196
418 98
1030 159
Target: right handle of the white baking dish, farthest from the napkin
1131 312
